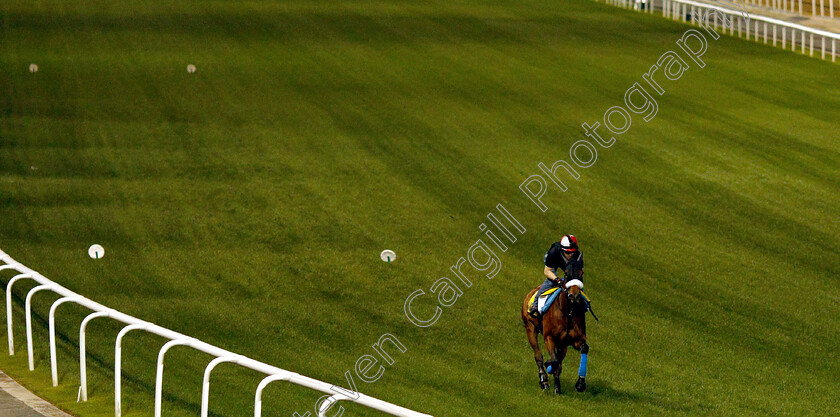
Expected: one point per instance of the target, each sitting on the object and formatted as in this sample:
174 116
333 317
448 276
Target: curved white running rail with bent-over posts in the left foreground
272 373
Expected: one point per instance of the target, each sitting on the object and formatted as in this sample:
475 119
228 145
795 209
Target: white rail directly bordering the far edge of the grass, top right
759 27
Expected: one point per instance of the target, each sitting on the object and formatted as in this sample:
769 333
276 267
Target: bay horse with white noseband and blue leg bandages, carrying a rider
562 325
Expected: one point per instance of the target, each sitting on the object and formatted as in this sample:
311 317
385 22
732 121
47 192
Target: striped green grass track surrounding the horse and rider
246 204
